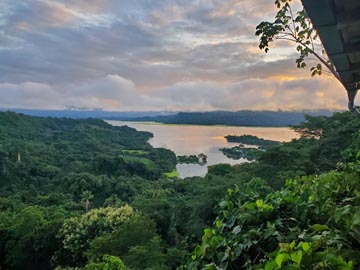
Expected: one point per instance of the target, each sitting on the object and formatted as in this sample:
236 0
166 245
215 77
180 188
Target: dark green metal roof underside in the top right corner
338 25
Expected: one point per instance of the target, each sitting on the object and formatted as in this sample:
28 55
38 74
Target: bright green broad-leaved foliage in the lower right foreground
311 223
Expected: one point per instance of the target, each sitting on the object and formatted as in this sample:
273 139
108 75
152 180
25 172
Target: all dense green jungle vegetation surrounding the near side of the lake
82 194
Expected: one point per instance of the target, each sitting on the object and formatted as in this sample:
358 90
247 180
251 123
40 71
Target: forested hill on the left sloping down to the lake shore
34 150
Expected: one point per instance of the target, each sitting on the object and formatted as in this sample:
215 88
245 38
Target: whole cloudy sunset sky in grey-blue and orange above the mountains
151 55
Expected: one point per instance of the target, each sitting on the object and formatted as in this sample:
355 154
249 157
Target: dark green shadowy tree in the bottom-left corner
28 236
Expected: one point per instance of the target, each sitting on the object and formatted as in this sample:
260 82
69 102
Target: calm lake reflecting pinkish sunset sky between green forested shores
197 139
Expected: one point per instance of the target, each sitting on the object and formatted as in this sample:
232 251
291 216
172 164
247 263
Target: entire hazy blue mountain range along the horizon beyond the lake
239 118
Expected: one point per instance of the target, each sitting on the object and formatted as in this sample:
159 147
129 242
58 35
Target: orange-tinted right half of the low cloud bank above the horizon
257 94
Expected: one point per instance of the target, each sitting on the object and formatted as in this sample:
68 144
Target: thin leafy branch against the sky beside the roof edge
297 28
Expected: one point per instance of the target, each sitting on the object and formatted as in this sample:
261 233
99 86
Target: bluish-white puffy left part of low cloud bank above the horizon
112 90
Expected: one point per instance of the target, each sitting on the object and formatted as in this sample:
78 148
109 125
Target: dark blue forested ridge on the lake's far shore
240 118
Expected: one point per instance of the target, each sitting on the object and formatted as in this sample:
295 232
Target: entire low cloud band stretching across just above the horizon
114 92
